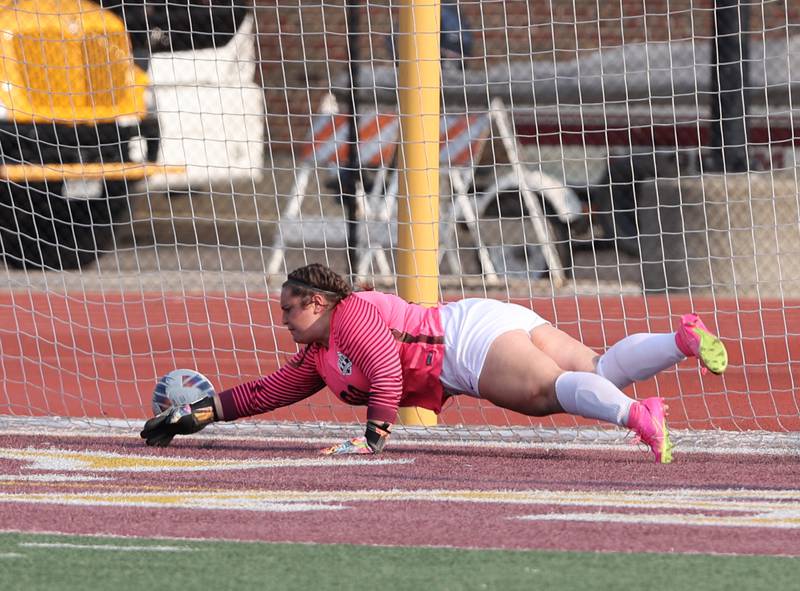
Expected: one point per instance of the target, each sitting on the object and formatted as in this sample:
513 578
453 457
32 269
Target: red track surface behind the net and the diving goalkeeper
98 355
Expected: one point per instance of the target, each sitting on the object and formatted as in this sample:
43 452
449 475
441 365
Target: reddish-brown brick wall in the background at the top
303 43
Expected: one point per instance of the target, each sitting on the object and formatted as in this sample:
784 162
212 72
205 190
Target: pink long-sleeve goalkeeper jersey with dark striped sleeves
383 352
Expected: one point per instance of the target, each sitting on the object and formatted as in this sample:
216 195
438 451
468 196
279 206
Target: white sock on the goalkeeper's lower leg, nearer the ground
593 397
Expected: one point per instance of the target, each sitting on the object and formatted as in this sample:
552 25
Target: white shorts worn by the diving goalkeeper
470 327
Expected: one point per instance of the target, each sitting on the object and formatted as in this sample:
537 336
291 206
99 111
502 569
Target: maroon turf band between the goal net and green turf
379 520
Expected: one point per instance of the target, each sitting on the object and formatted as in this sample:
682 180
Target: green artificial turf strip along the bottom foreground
88 563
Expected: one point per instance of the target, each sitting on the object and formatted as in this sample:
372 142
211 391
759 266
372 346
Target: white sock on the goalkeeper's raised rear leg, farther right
638 357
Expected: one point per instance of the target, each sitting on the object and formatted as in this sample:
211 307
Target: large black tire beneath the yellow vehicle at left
40 228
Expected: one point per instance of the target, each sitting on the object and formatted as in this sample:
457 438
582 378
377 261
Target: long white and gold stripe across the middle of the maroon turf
731 508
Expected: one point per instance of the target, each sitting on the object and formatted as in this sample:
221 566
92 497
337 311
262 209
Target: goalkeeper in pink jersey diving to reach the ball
377 350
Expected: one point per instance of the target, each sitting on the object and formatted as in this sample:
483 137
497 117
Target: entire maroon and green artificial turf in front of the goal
218 512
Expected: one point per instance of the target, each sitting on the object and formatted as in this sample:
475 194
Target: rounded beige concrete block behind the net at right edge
735 234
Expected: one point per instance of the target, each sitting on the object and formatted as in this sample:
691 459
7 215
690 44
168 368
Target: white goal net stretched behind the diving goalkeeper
611 165
